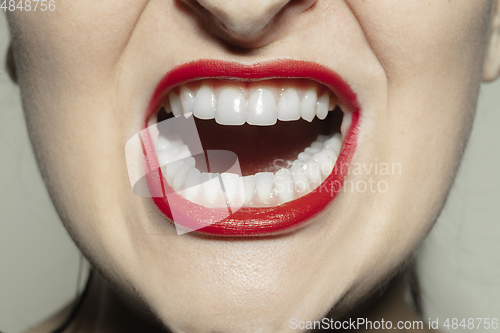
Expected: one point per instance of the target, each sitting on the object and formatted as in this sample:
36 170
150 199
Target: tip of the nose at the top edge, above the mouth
244 22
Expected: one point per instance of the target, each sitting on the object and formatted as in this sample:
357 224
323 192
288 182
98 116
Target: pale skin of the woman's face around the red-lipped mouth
88 69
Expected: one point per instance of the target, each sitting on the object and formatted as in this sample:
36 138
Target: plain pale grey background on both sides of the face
459 264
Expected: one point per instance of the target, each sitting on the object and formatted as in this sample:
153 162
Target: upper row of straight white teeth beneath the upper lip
257 103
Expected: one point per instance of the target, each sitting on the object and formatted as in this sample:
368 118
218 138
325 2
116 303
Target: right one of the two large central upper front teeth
262 108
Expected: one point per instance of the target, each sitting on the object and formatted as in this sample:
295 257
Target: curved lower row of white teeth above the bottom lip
264 189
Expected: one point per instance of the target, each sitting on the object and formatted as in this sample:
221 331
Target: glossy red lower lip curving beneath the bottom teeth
250 221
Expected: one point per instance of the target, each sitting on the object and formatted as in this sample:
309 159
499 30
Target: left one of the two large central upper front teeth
231 108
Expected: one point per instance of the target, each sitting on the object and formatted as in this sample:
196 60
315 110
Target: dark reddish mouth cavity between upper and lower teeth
264 148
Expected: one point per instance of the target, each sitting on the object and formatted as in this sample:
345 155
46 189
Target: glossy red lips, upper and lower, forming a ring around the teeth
249 222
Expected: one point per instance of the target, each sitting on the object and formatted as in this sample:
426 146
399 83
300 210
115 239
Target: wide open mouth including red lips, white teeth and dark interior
291 124
